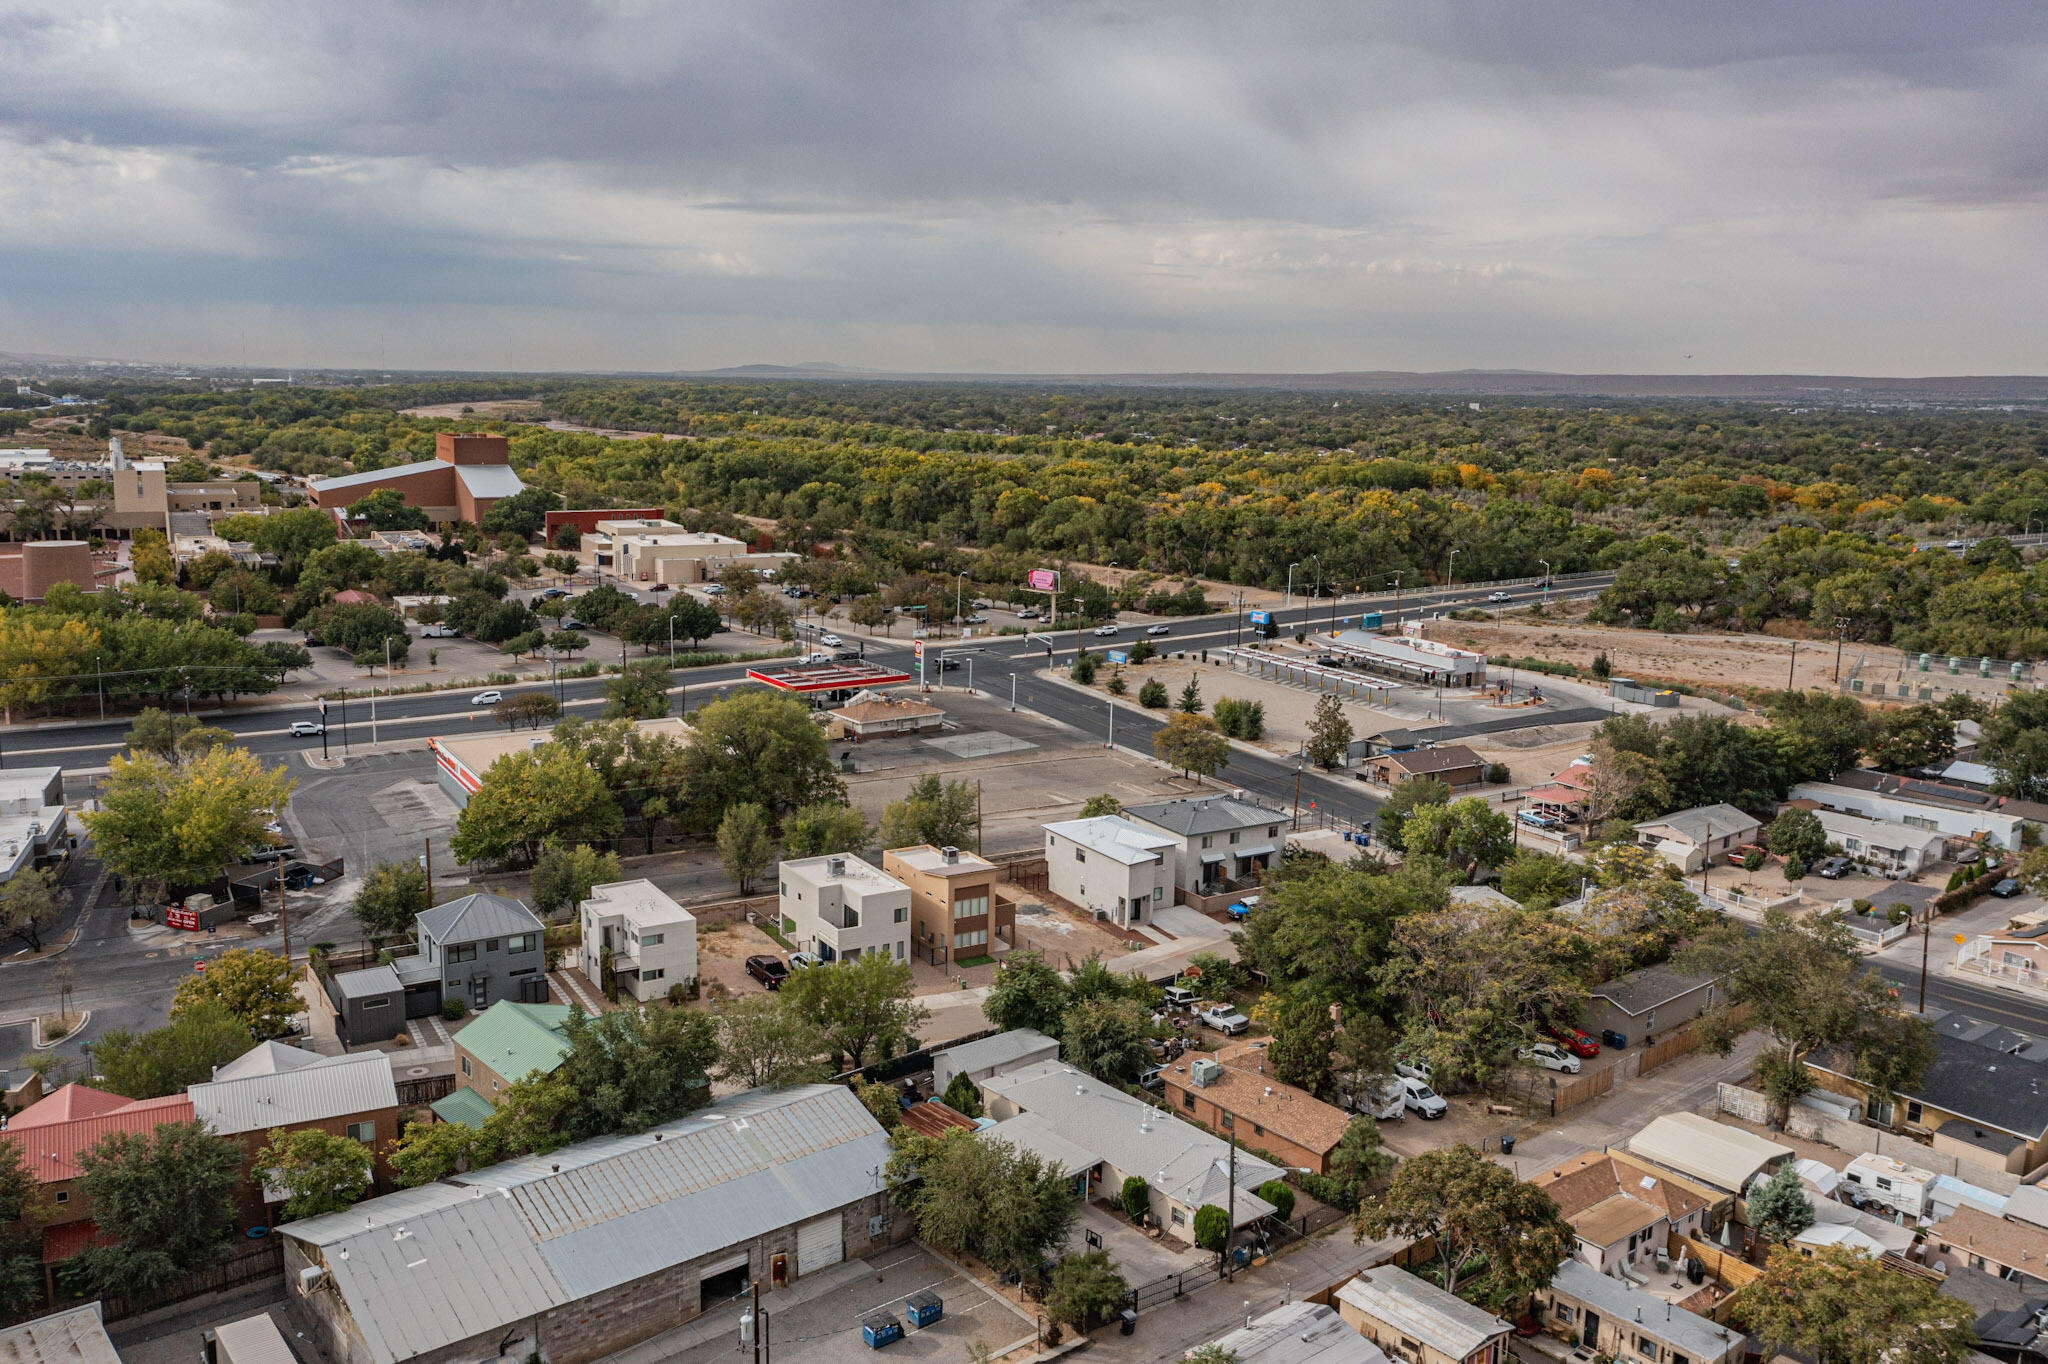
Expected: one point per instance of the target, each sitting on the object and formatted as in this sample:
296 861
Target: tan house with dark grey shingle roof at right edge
1983 1099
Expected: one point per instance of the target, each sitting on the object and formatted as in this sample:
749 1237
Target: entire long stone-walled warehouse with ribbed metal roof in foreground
597 1246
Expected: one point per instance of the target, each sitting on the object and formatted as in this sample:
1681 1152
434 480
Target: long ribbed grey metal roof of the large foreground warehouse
476 1252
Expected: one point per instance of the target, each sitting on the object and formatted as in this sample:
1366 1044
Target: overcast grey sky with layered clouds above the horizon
970 185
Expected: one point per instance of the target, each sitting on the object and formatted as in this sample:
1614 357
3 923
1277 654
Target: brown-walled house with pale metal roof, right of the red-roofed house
278 1086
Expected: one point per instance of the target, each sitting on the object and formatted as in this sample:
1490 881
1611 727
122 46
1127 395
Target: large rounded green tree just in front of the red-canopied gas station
757 747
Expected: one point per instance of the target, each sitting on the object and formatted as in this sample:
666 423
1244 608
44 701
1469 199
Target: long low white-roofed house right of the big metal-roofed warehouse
1089 1127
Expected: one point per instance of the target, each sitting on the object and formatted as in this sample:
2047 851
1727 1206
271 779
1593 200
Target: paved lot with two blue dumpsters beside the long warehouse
818 1320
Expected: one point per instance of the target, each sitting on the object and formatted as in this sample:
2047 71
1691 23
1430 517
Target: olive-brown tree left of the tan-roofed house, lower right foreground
1474 1207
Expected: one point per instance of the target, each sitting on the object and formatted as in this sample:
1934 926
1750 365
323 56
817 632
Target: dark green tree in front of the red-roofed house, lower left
167 1199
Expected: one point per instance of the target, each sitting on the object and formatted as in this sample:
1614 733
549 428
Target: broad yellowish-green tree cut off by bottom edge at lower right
1838 1308
